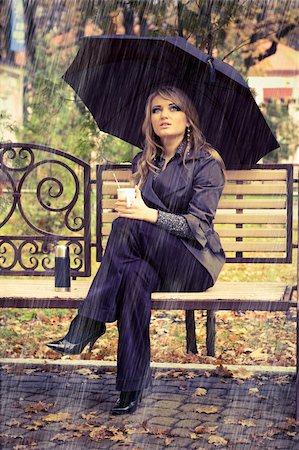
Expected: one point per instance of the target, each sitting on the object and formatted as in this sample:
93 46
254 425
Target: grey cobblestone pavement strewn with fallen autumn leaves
49 407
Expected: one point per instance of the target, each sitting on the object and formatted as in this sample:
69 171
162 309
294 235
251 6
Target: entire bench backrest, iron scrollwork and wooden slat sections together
47 197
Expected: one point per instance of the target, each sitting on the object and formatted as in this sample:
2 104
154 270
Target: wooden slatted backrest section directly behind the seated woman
254 217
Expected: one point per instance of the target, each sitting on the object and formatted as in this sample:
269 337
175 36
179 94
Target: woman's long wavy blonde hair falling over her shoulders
152 141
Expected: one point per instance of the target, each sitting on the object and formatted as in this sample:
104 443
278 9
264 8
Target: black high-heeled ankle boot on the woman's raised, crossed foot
82 331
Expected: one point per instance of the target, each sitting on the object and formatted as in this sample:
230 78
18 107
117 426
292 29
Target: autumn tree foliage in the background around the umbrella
230 30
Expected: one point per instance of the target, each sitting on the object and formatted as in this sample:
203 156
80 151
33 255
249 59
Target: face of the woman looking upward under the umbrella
168 121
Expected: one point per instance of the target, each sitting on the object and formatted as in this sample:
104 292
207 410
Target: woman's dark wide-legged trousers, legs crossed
140 258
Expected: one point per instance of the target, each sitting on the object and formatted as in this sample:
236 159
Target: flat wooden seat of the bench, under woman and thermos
224 295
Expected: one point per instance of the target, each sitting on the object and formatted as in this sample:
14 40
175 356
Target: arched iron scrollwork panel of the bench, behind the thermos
44 200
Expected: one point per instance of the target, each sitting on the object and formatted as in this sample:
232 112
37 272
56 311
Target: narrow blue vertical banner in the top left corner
17 37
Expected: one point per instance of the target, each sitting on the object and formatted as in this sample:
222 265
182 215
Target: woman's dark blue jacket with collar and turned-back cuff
192 190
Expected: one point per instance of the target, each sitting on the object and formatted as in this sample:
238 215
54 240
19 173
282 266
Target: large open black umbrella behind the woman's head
114 75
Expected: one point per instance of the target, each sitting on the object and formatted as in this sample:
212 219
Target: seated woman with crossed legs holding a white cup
165 241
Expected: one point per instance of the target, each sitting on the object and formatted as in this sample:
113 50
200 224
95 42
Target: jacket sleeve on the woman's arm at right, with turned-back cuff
208 184
